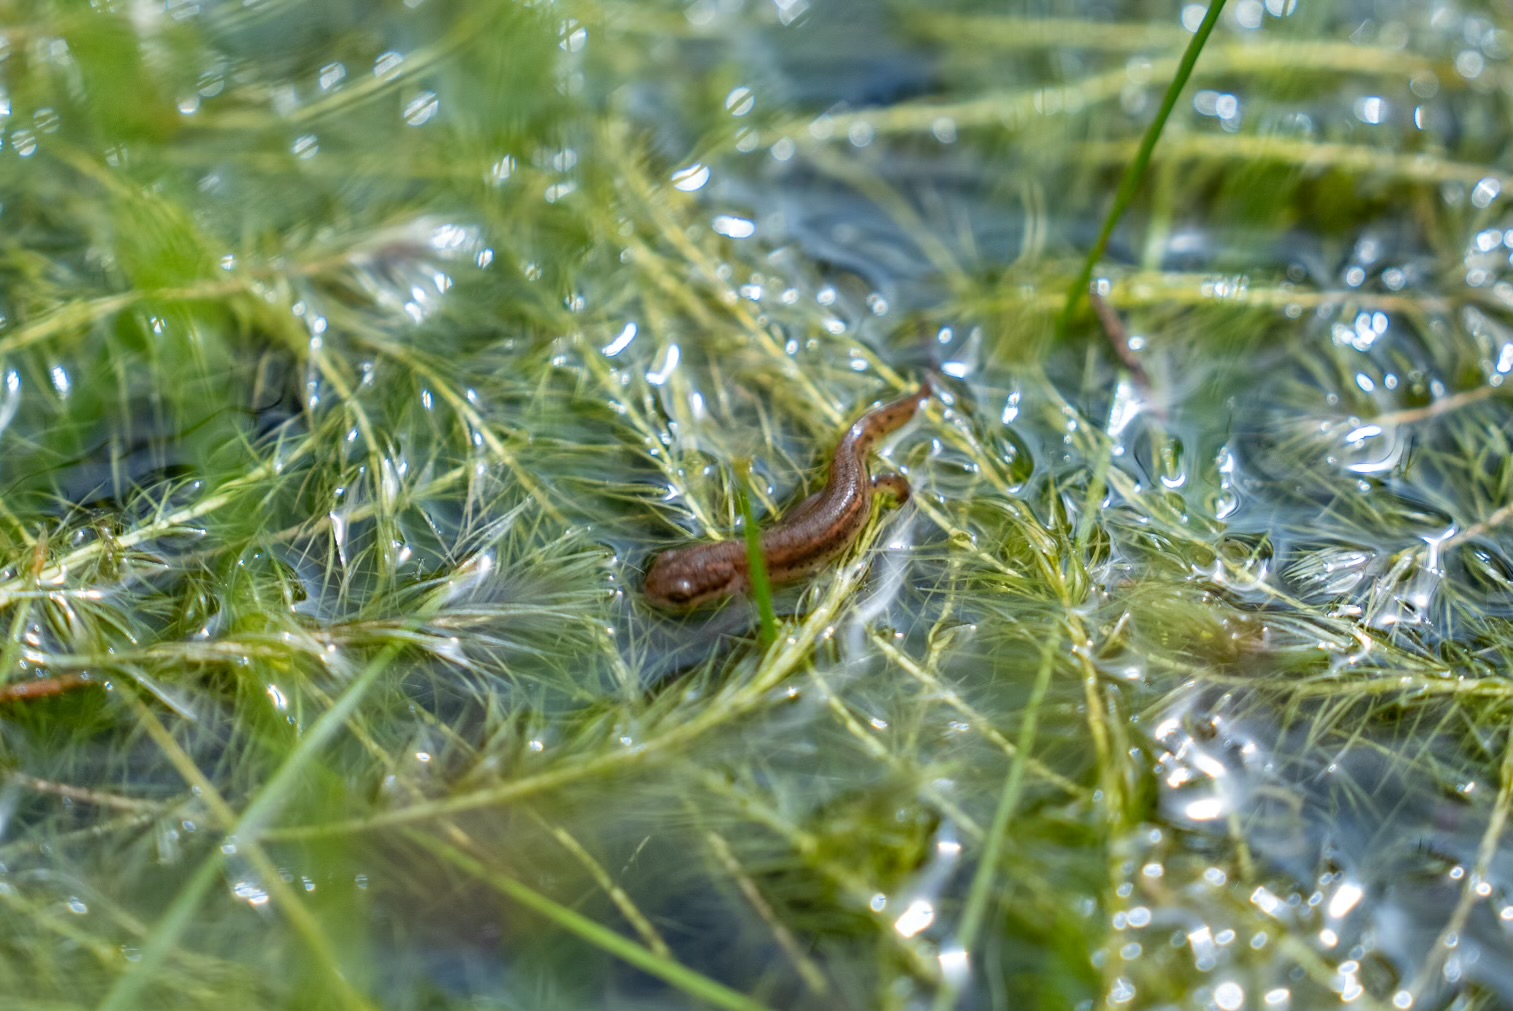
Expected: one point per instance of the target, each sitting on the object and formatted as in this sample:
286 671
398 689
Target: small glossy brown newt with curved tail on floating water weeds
822 527
